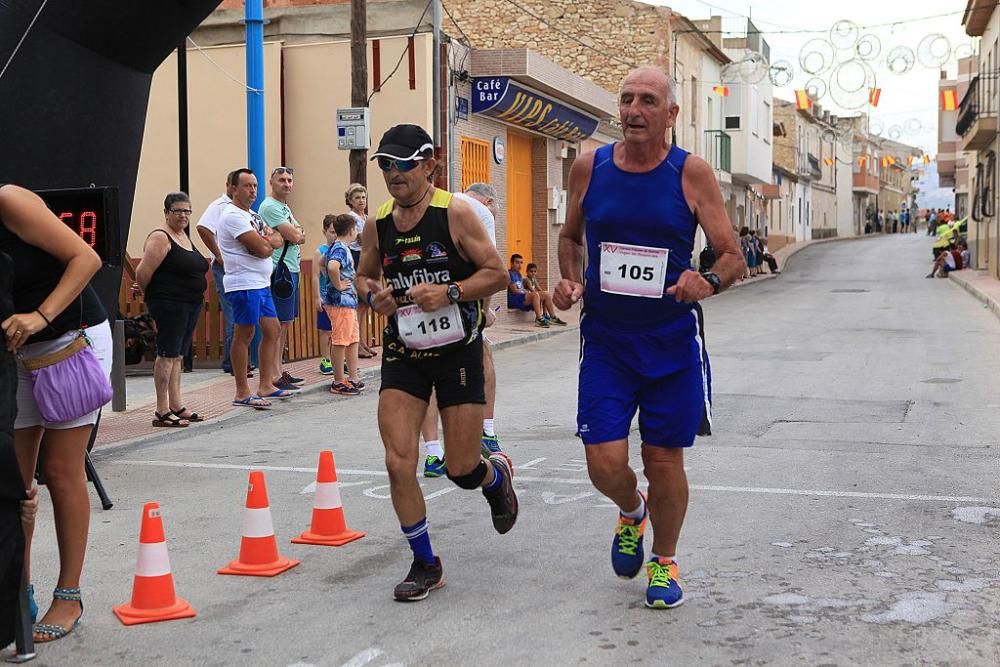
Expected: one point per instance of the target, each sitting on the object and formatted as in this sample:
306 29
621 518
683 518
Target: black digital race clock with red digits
92 213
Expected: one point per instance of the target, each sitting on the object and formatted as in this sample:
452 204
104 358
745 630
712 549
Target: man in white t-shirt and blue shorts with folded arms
246 244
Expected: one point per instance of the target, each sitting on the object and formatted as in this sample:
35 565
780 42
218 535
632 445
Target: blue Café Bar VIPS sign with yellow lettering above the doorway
506 100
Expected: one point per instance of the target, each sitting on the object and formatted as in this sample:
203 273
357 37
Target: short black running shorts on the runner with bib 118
457 375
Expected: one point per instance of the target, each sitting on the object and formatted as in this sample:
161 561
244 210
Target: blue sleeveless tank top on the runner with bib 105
646 209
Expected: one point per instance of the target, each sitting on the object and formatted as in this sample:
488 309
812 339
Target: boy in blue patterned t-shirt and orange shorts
340 304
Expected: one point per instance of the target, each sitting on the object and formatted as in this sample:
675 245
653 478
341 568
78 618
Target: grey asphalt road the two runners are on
846 511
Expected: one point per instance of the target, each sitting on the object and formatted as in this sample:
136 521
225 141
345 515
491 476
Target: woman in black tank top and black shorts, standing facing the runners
172 277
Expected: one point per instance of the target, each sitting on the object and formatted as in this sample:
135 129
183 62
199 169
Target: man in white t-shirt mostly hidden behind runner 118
482 197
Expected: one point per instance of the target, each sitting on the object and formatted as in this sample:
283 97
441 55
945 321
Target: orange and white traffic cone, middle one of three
258 548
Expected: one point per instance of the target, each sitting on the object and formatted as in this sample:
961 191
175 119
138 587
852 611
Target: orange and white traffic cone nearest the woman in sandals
153 597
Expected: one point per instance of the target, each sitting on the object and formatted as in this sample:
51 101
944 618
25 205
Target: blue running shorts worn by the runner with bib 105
662 372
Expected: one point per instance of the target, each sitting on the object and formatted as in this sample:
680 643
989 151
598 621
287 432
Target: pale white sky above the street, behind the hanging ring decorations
913 95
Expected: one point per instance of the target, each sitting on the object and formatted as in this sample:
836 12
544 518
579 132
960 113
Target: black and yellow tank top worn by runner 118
425 254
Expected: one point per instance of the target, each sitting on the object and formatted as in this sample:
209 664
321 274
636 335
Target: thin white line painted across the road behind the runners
586 482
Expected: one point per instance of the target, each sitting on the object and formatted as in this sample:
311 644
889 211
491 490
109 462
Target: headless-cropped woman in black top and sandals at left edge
51 301
